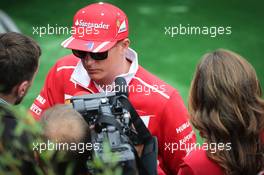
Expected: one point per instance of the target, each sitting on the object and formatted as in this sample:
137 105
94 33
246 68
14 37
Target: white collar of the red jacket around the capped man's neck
81 77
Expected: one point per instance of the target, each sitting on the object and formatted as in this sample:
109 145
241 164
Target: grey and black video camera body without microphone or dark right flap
110 122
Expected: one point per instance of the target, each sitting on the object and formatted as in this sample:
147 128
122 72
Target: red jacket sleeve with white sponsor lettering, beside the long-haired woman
176 134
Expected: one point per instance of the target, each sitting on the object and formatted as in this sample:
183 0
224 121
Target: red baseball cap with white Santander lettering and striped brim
97 28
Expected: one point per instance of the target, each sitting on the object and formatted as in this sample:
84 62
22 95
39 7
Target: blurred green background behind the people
173 59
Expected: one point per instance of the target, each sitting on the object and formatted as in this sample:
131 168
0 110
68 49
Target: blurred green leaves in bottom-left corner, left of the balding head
14 150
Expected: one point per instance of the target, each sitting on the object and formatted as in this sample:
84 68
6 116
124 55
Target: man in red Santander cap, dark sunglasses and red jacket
101 52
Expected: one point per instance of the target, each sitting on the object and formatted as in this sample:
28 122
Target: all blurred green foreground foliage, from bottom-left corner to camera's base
13 152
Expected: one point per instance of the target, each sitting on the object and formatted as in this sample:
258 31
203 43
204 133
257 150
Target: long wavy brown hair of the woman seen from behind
226 107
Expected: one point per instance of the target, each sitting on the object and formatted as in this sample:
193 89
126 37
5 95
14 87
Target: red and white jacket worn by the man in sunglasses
159 105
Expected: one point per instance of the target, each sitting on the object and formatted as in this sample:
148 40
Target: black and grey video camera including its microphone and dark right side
111 116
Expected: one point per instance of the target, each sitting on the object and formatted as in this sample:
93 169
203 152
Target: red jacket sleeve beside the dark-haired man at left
51 93
